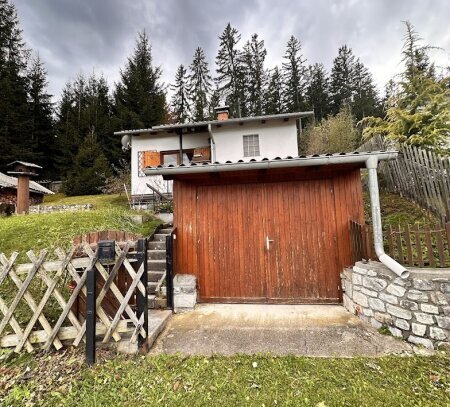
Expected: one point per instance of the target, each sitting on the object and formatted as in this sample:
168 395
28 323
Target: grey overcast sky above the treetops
98 35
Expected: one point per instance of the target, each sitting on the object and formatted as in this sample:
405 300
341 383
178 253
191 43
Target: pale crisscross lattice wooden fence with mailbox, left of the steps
37 306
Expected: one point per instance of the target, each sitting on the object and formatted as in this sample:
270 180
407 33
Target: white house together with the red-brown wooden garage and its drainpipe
253 221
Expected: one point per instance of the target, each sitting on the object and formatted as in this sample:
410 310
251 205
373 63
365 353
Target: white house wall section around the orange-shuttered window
160 142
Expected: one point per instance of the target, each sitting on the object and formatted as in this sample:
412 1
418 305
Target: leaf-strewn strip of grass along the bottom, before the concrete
261 380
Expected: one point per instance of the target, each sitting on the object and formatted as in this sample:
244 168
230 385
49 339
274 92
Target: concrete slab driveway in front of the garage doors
310 330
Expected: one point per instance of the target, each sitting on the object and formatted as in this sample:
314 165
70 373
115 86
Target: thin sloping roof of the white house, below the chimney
205 124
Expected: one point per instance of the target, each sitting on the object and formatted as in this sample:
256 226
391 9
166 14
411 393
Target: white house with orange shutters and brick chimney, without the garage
220 140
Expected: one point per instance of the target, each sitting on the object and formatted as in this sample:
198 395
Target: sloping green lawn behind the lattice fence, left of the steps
35 232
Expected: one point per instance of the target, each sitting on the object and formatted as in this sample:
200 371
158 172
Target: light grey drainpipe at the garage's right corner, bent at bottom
372 164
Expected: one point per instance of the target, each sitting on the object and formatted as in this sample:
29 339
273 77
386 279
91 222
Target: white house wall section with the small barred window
276 139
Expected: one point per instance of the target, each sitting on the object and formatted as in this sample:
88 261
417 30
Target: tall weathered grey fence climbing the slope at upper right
420 175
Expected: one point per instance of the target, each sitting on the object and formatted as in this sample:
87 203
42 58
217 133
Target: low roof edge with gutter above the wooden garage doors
358 158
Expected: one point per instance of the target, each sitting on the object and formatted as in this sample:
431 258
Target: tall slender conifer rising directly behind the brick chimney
229 70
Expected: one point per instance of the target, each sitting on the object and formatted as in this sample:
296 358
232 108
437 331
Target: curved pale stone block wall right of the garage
416 308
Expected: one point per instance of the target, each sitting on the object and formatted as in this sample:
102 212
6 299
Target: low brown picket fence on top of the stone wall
419 246
